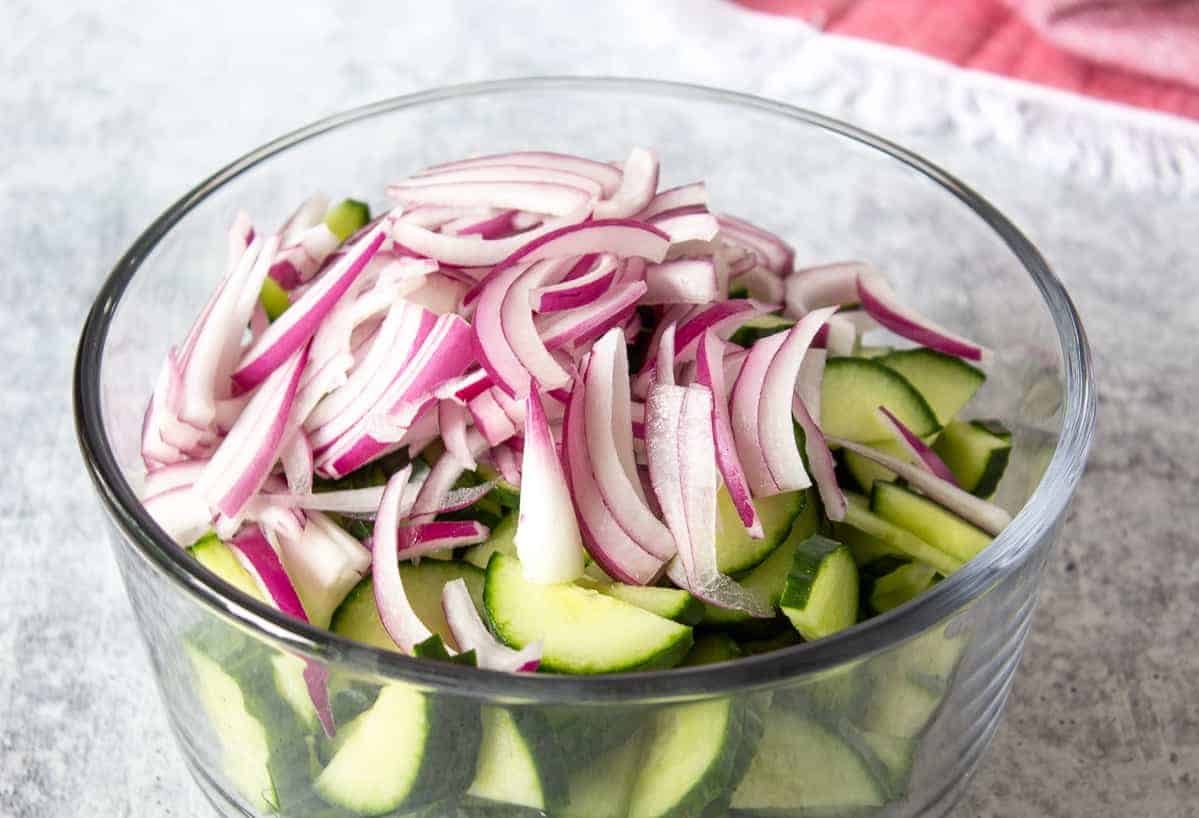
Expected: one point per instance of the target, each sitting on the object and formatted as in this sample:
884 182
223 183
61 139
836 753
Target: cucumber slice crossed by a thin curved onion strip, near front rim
358 617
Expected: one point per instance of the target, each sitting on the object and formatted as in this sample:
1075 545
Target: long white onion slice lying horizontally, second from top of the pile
556 200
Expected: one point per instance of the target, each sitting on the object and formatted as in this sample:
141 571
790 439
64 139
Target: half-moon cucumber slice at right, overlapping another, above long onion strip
854 389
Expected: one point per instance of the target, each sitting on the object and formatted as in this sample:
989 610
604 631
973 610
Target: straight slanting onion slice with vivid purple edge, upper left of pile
294 328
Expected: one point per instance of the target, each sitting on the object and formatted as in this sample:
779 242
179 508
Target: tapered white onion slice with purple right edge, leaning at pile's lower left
245 459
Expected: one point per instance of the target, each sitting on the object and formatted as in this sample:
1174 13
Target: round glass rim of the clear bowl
1034 522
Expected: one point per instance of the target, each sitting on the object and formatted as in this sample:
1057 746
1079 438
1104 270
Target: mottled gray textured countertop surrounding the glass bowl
111 116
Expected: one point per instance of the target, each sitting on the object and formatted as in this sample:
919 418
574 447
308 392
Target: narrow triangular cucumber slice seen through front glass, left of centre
519 763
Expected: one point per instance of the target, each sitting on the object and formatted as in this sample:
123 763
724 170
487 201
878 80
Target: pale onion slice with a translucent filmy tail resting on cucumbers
683 471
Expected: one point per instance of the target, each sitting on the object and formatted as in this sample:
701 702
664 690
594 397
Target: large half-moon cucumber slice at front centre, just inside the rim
581 630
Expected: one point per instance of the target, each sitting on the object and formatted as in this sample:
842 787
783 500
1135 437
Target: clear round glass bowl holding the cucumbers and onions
914 695
